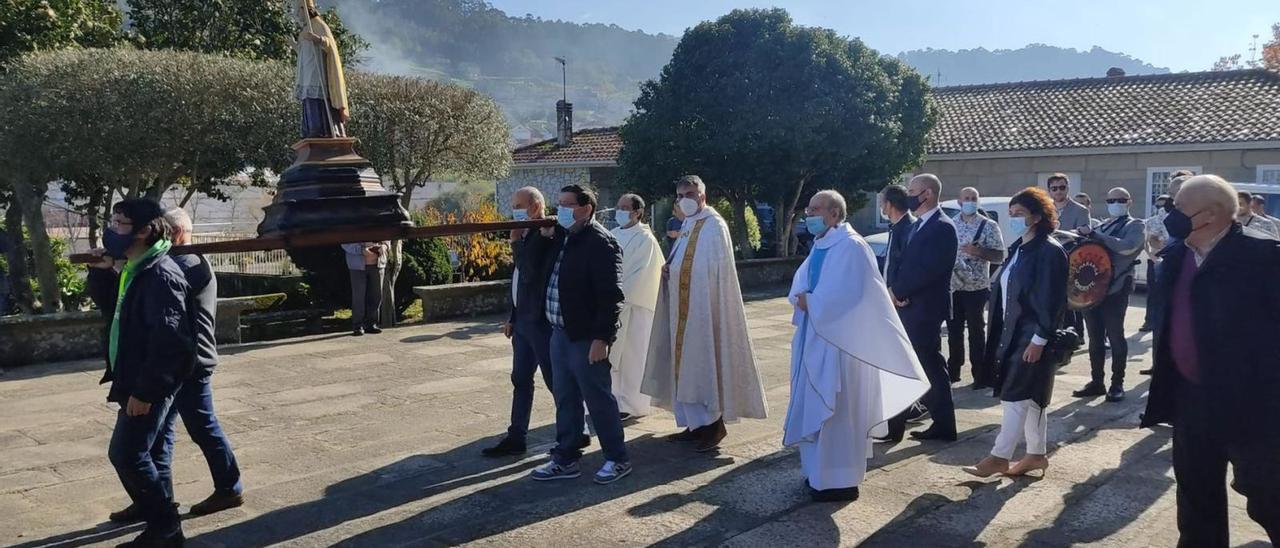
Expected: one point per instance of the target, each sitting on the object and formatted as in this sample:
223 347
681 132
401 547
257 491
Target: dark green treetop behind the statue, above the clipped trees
262 30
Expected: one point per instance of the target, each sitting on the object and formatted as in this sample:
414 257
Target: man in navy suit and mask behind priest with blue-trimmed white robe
922 293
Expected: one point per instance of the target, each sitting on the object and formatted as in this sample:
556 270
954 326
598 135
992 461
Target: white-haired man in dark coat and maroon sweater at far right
1217 371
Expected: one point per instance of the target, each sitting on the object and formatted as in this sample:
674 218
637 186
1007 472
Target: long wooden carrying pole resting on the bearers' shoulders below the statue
345 236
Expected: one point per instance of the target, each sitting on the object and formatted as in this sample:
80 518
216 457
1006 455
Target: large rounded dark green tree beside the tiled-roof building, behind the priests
767 111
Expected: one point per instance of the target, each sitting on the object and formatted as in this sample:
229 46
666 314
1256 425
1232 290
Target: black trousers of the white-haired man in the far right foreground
1201 456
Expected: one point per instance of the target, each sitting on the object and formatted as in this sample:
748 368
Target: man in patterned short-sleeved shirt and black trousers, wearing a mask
980 246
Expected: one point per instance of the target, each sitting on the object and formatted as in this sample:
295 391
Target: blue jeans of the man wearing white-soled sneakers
577 382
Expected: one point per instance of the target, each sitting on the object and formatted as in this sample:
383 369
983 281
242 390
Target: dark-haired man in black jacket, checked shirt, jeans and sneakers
583 276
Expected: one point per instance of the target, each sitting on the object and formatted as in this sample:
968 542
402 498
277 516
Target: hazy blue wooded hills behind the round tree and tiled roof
513 58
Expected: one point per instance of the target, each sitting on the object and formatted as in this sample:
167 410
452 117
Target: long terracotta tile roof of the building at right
1160 109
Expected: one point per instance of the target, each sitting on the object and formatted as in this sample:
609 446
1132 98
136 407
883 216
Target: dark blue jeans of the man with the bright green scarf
131 454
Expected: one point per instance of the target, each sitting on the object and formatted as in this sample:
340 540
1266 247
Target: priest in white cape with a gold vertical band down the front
701 364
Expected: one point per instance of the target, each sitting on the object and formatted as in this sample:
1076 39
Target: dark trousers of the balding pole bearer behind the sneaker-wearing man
531 349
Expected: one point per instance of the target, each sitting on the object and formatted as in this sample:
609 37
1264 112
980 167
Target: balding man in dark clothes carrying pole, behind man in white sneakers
528 330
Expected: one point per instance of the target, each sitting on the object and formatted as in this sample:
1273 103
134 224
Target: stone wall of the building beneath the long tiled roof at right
1099 172
